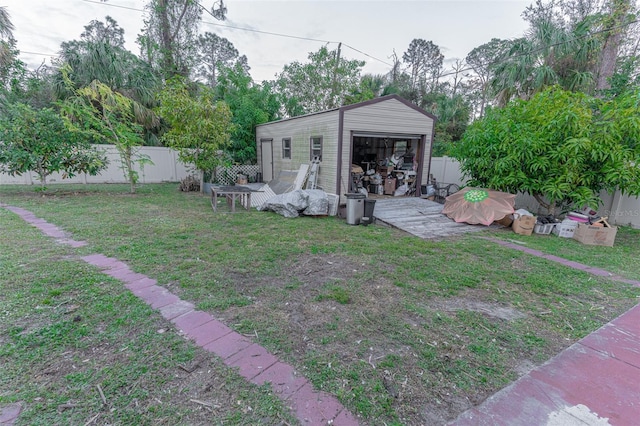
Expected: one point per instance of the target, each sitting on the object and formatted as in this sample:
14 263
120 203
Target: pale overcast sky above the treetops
373 27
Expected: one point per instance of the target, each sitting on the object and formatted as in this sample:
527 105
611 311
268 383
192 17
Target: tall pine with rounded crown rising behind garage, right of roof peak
425 64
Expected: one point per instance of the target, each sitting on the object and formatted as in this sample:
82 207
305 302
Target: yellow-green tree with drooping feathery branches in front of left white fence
107 116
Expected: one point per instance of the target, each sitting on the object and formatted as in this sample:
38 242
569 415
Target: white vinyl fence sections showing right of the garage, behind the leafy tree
621 210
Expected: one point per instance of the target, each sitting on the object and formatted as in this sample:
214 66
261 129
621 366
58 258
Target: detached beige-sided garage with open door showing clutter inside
377 145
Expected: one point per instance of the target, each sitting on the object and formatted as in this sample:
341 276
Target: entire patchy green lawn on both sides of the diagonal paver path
401 330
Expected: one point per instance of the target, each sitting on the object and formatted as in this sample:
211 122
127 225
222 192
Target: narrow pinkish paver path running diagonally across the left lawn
253 362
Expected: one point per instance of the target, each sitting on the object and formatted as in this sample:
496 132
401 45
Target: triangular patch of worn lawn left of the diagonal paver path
77 348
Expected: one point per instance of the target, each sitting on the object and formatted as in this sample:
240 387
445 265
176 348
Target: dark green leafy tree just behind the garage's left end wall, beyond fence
251 105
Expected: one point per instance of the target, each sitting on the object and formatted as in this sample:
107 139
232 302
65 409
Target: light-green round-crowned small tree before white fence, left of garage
199 127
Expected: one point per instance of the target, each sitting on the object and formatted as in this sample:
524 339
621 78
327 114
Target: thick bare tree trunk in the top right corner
615 29
